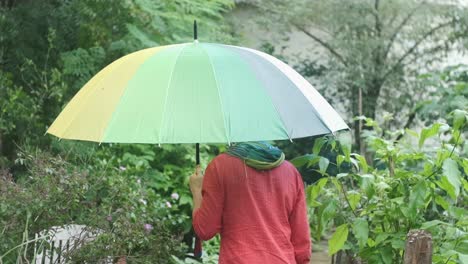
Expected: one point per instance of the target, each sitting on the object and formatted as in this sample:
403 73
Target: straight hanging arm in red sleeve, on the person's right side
300 232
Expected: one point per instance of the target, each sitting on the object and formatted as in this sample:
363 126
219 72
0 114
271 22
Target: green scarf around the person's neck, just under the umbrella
258 155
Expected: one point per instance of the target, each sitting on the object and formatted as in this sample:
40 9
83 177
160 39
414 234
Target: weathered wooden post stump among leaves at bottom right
418 248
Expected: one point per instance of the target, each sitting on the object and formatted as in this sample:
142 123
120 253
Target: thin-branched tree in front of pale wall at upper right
374 48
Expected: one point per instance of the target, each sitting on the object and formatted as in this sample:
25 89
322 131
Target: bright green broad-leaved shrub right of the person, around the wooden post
410 187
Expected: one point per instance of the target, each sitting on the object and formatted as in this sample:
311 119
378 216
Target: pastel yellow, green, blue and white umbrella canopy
196 92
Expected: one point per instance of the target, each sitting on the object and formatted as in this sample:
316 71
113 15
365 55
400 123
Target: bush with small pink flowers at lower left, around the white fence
117 202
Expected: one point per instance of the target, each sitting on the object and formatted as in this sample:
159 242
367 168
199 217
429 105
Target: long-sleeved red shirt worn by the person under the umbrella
261 215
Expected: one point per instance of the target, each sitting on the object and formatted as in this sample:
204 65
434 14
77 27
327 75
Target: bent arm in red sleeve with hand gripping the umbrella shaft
208 199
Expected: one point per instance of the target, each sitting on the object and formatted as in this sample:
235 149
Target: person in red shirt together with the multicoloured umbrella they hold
198 92
